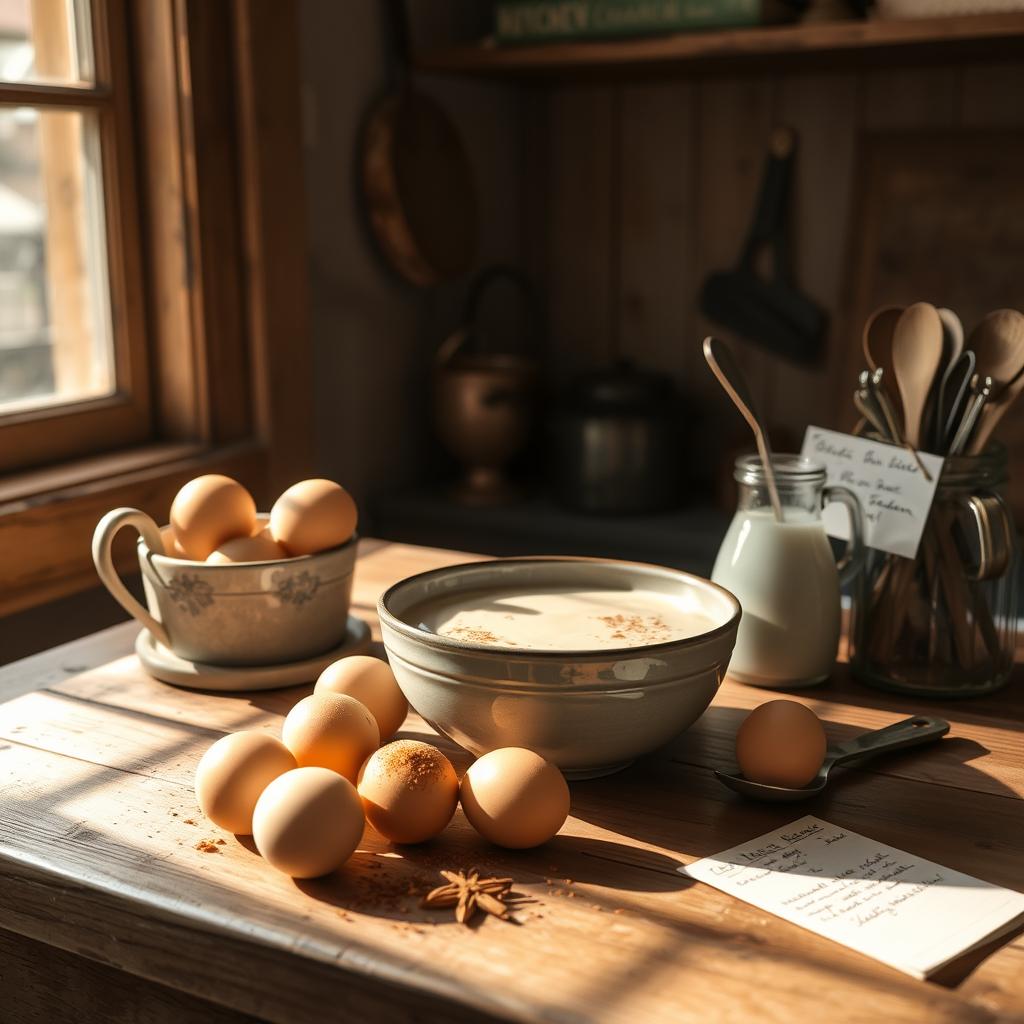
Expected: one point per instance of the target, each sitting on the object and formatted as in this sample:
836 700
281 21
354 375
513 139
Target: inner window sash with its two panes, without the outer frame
72 357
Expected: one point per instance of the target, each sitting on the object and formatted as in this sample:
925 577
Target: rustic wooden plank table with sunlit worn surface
110 912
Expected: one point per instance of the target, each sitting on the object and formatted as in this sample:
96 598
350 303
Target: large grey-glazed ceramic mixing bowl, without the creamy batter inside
590 712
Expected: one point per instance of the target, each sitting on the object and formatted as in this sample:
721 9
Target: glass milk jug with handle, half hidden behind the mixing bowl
785 574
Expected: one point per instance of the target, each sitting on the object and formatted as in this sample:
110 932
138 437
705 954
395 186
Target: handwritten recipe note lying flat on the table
907 912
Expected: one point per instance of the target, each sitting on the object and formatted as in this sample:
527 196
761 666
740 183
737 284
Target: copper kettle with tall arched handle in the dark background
484 401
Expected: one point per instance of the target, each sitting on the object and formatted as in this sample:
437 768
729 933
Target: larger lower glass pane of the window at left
56 339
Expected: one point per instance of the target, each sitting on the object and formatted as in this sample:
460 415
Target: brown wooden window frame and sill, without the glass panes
215 104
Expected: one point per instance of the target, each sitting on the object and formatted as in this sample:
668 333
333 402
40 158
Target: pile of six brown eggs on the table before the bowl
306 798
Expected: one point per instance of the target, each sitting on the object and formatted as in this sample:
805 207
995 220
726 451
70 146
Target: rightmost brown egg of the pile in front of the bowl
515 798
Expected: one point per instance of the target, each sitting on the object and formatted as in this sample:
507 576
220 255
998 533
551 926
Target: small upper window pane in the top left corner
46 41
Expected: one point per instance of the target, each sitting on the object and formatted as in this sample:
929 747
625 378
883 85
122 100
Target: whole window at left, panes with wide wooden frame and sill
153 314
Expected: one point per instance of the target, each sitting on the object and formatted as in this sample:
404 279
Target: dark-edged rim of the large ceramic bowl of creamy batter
441 643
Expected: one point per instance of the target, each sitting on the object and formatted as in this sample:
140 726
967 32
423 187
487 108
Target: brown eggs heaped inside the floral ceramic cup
214 520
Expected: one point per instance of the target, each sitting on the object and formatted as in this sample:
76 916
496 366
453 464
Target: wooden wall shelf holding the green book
826 45
